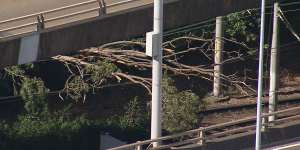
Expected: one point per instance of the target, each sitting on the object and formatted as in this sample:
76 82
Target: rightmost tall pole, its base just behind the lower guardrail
274 65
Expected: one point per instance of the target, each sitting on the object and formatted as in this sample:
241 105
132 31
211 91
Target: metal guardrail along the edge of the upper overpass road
38 15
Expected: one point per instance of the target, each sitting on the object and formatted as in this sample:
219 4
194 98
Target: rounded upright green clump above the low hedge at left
34 93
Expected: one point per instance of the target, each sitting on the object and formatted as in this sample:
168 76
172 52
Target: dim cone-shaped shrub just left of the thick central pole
135 115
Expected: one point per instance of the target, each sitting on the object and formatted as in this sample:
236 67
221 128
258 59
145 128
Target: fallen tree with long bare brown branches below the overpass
92 67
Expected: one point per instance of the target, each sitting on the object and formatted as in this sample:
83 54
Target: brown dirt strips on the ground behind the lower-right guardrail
289 88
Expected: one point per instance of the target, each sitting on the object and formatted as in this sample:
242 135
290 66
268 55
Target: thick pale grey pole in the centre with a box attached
157 73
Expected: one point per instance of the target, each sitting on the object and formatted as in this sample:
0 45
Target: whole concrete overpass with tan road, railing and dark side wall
67 31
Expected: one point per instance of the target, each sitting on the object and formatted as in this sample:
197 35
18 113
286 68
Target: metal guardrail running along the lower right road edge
199 135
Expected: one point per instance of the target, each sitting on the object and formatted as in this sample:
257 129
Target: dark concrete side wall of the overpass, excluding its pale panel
121 26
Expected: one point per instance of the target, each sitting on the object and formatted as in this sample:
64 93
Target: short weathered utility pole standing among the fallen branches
218 57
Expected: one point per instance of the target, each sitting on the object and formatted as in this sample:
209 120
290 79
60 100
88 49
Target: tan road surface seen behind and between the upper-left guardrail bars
16 8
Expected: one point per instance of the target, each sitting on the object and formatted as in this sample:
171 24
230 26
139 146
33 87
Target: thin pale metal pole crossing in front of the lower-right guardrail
260 77
